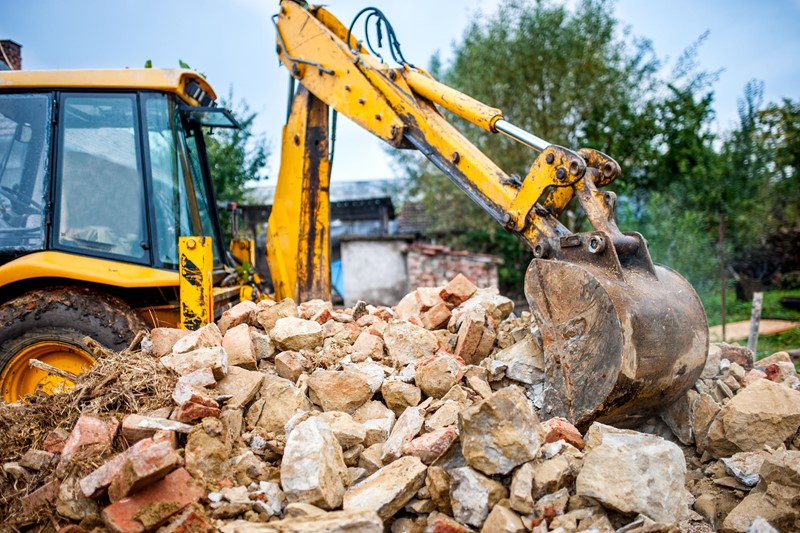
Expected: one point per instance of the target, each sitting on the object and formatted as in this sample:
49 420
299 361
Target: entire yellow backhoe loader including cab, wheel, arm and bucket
622 336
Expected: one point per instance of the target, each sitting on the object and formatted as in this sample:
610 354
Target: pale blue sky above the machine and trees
232 42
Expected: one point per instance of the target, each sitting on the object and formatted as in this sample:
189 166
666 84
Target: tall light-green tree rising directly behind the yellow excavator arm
565 76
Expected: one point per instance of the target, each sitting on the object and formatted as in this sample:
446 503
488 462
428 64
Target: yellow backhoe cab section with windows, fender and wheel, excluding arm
101 173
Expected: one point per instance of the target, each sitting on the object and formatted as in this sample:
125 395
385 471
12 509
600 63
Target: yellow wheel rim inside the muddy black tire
18 379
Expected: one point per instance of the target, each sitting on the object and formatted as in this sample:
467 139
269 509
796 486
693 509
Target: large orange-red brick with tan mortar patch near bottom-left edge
151 507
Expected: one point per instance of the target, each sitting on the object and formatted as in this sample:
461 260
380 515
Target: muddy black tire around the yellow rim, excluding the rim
66 314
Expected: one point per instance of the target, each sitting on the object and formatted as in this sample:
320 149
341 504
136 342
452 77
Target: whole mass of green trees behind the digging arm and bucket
573 78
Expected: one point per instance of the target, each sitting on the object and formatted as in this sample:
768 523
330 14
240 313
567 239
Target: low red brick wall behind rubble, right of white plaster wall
433 266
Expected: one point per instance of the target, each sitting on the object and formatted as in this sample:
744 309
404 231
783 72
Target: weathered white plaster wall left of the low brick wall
374 271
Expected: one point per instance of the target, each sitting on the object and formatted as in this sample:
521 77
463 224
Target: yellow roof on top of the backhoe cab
169 80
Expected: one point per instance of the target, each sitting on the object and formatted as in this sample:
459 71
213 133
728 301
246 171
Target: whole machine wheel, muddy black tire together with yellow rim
50 325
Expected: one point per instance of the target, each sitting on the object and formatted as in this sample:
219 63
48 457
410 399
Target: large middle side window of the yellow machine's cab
101 186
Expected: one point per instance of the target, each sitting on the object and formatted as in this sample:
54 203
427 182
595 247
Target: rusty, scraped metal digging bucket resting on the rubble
623 338
